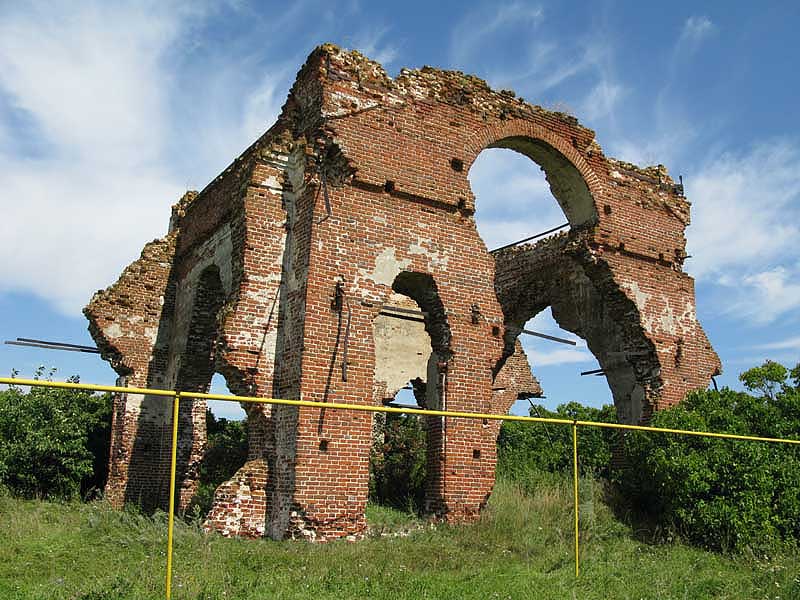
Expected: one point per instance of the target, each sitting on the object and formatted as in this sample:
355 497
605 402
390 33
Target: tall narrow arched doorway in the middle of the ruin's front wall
412 344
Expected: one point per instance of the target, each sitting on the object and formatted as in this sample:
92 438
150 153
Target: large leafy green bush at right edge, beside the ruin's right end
722 494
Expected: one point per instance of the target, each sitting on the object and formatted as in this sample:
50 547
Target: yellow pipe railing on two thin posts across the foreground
370 408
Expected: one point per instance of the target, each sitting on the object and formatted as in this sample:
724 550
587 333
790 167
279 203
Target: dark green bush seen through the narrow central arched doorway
397 464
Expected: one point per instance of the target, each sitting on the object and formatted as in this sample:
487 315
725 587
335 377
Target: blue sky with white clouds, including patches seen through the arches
110 111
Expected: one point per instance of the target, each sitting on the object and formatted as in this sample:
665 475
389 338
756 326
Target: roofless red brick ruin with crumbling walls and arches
337 259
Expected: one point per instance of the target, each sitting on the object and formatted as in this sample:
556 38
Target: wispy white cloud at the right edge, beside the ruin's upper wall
745 222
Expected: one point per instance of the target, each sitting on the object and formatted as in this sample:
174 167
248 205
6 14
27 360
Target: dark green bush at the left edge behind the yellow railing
53 442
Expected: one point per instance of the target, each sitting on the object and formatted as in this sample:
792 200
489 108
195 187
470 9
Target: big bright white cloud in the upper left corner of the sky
92 82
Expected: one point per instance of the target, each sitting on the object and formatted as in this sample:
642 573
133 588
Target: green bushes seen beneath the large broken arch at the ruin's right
526 450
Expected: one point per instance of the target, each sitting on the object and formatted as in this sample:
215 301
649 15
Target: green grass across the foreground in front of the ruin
522 548
